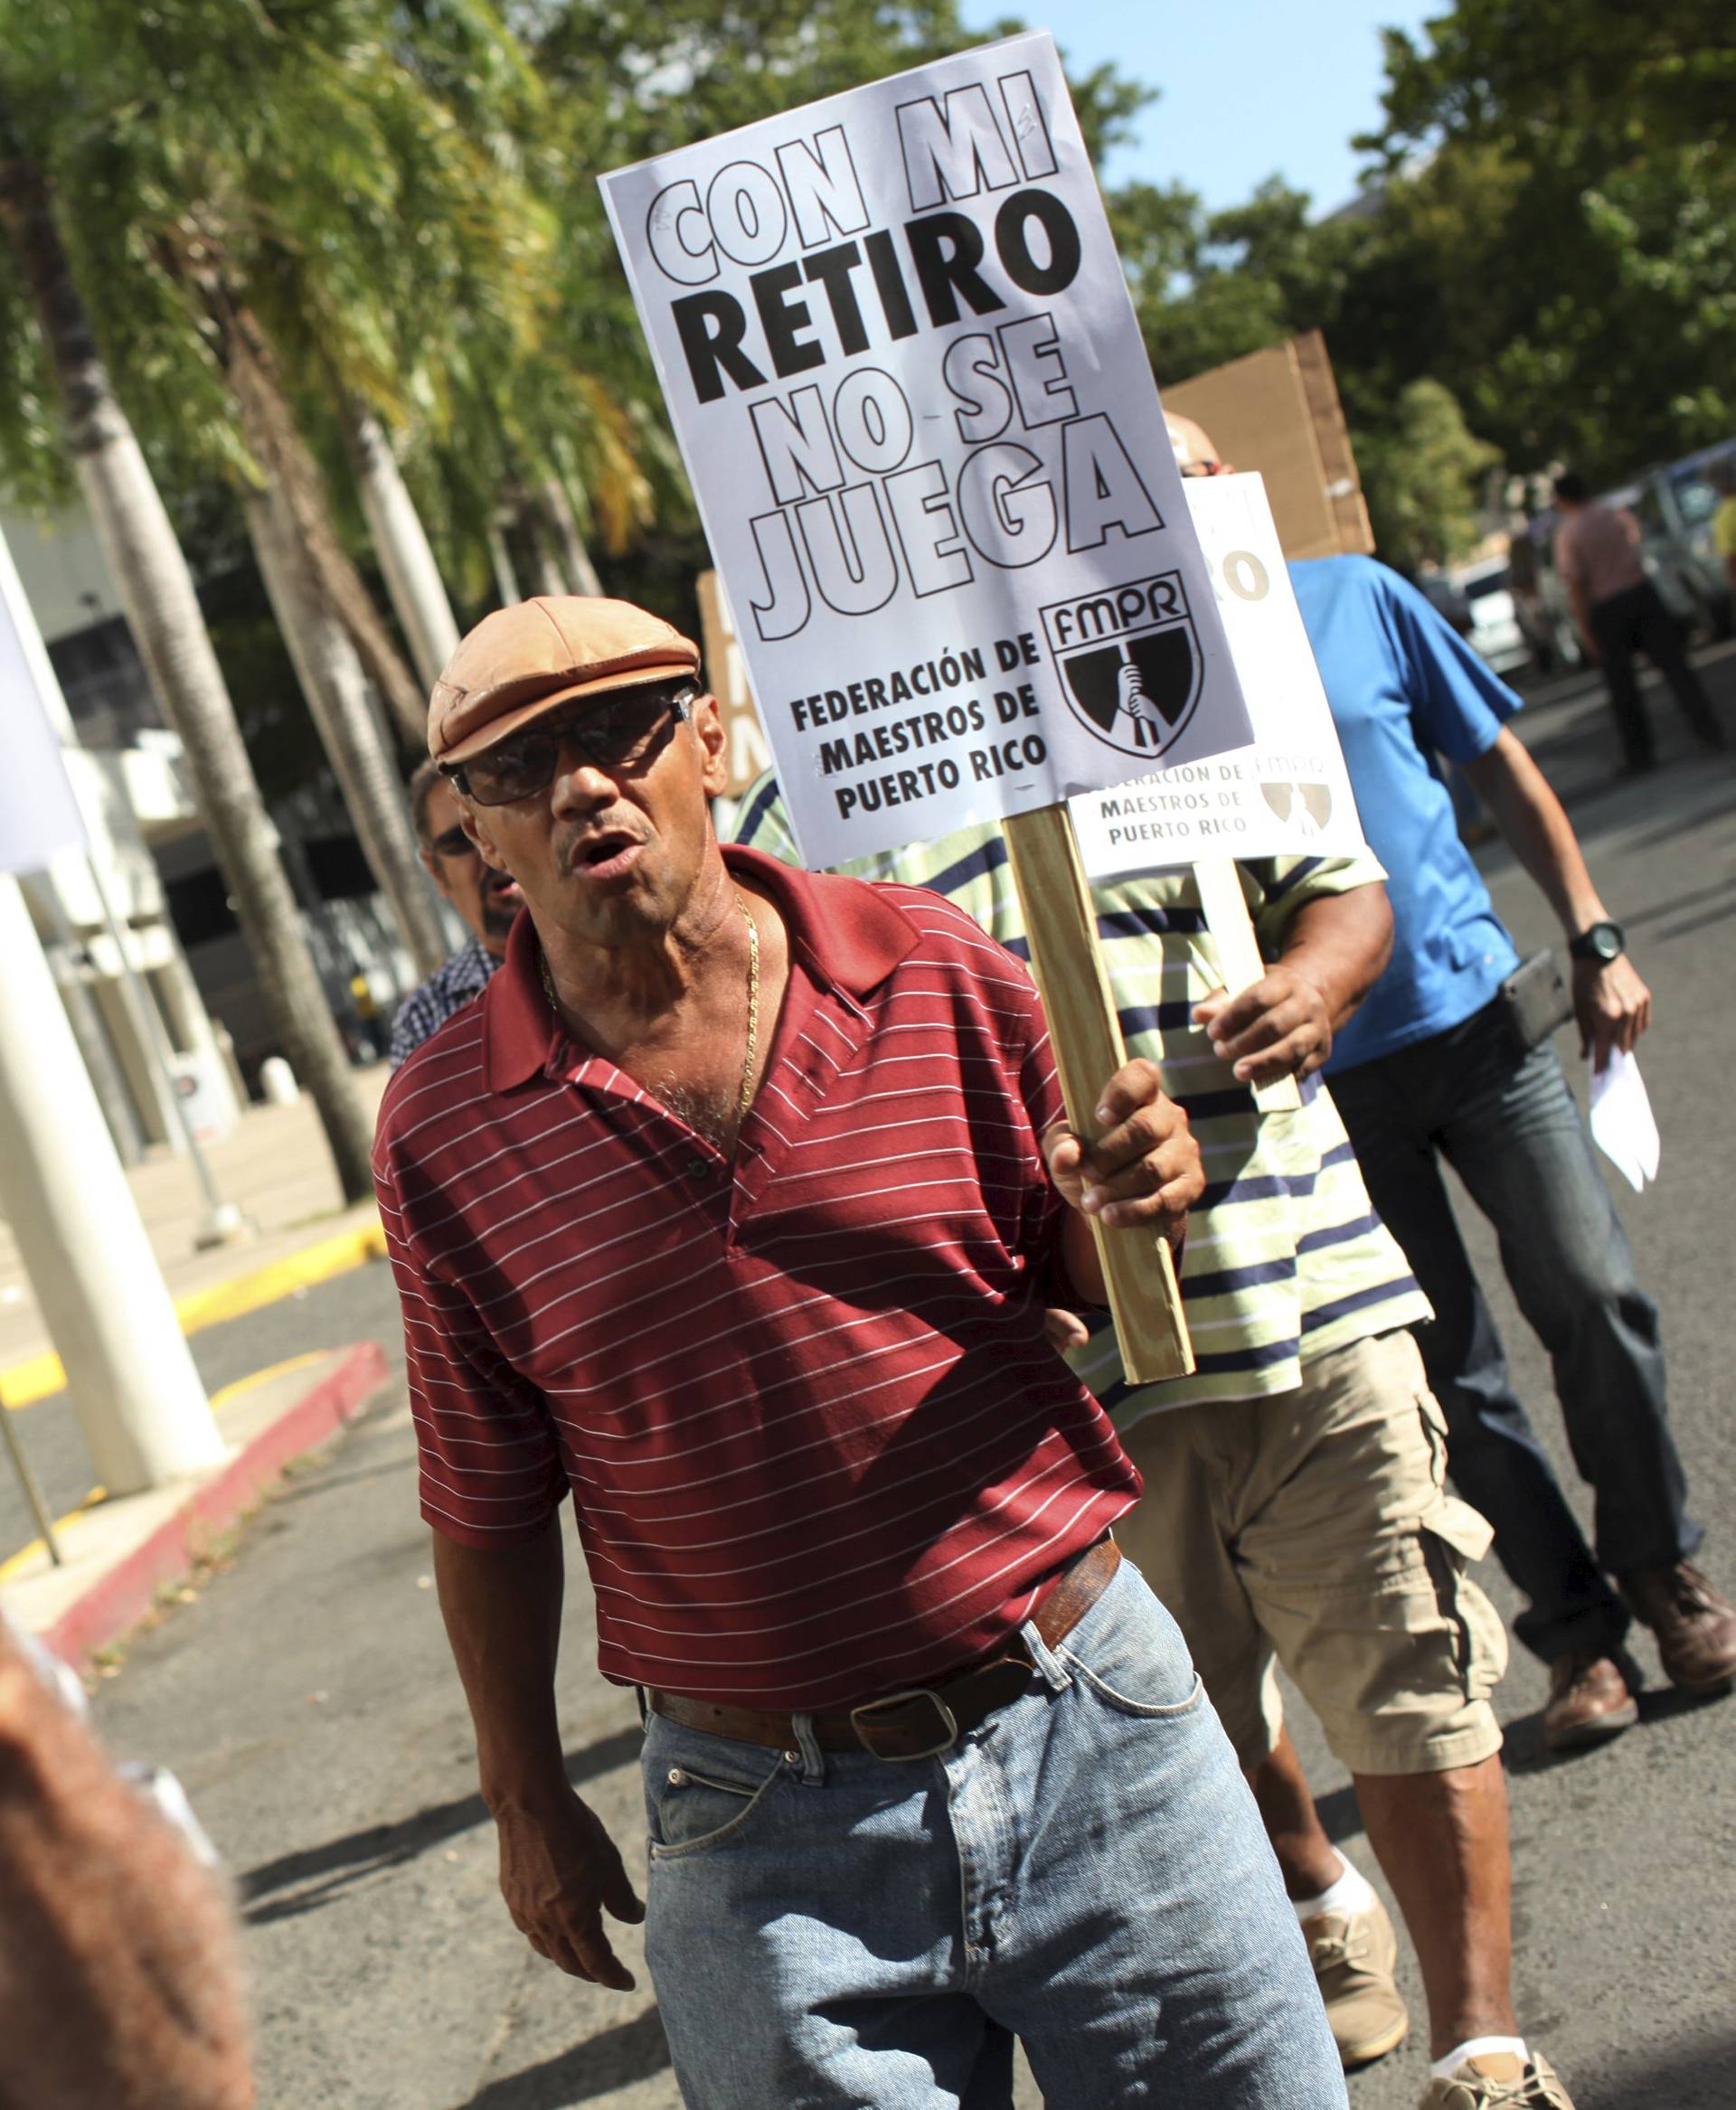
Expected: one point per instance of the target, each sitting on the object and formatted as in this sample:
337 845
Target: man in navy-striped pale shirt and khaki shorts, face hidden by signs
1294 1503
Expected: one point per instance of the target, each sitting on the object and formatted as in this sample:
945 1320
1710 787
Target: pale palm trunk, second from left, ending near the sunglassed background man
336 689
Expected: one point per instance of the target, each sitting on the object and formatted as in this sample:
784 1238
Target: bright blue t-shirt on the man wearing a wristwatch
1406 689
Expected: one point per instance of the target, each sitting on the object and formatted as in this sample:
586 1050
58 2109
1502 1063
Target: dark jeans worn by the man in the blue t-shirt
1509 1128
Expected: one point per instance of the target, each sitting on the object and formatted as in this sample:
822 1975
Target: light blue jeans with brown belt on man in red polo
1085 1873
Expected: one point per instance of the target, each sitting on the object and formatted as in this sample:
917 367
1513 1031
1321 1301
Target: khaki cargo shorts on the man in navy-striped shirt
1315 1531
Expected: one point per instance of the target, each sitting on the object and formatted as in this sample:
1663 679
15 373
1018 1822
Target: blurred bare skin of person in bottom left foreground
119 1982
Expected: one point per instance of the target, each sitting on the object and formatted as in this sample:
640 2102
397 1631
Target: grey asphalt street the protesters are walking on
309 1704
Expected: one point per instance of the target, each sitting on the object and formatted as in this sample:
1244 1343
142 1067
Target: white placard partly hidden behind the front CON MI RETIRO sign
1284 797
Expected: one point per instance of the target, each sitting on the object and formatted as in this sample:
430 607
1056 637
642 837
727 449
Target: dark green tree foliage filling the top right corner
1560 172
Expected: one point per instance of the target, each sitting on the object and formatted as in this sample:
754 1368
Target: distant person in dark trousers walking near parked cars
1619 613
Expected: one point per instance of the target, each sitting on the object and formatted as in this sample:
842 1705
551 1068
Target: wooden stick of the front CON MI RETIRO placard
1068 965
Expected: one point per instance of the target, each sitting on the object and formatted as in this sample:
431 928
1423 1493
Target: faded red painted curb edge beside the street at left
126 1594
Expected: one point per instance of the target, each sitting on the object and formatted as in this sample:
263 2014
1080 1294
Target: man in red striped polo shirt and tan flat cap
733 1210
